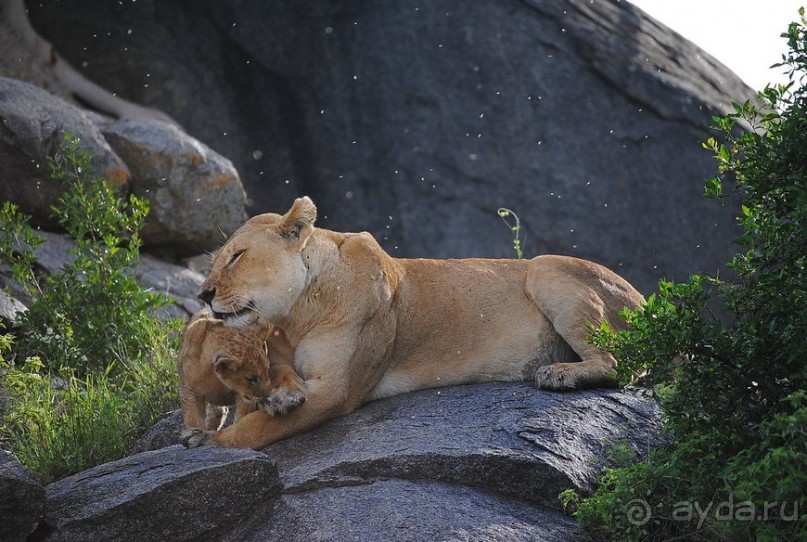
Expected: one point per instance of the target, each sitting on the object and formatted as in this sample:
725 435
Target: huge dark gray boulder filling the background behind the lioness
417 120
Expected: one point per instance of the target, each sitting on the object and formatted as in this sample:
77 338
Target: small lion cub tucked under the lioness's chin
221 366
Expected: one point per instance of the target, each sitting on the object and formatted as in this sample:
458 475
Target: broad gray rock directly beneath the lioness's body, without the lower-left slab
476 462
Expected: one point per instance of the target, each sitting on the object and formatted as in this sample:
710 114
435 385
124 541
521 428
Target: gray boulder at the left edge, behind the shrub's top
32 123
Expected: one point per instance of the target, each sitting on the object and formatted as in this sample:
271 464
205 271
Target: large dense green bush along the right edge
734 397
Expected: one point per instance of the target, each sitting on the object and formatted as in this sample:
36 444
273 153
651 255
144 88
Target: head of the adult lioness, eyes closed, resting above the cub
260 271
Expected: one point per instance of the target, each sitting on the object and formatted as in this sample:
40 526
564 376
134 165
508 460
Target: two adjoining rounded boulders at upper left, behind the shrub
196 195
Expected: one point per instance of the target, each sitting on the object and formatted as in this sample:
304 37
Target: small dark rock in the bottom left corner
22 500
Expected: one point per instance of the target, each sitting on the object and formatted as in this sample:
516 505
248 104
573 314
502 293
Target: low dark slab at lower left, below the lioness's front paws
169 494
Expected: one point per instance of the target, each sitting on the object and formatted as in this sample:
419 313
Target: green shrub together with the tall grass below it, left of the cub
90 365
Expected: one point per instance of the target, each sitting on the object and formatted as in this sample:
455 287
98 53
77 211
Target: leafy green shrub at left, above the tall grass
84 316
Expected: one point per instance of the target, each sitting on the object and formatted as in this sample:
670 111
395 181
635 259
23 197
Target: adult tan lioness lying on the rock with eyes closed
365 325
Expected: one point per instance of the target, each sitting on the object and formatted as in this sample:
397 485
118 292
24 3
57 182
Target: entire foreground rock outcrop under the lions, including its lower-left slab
476 462
